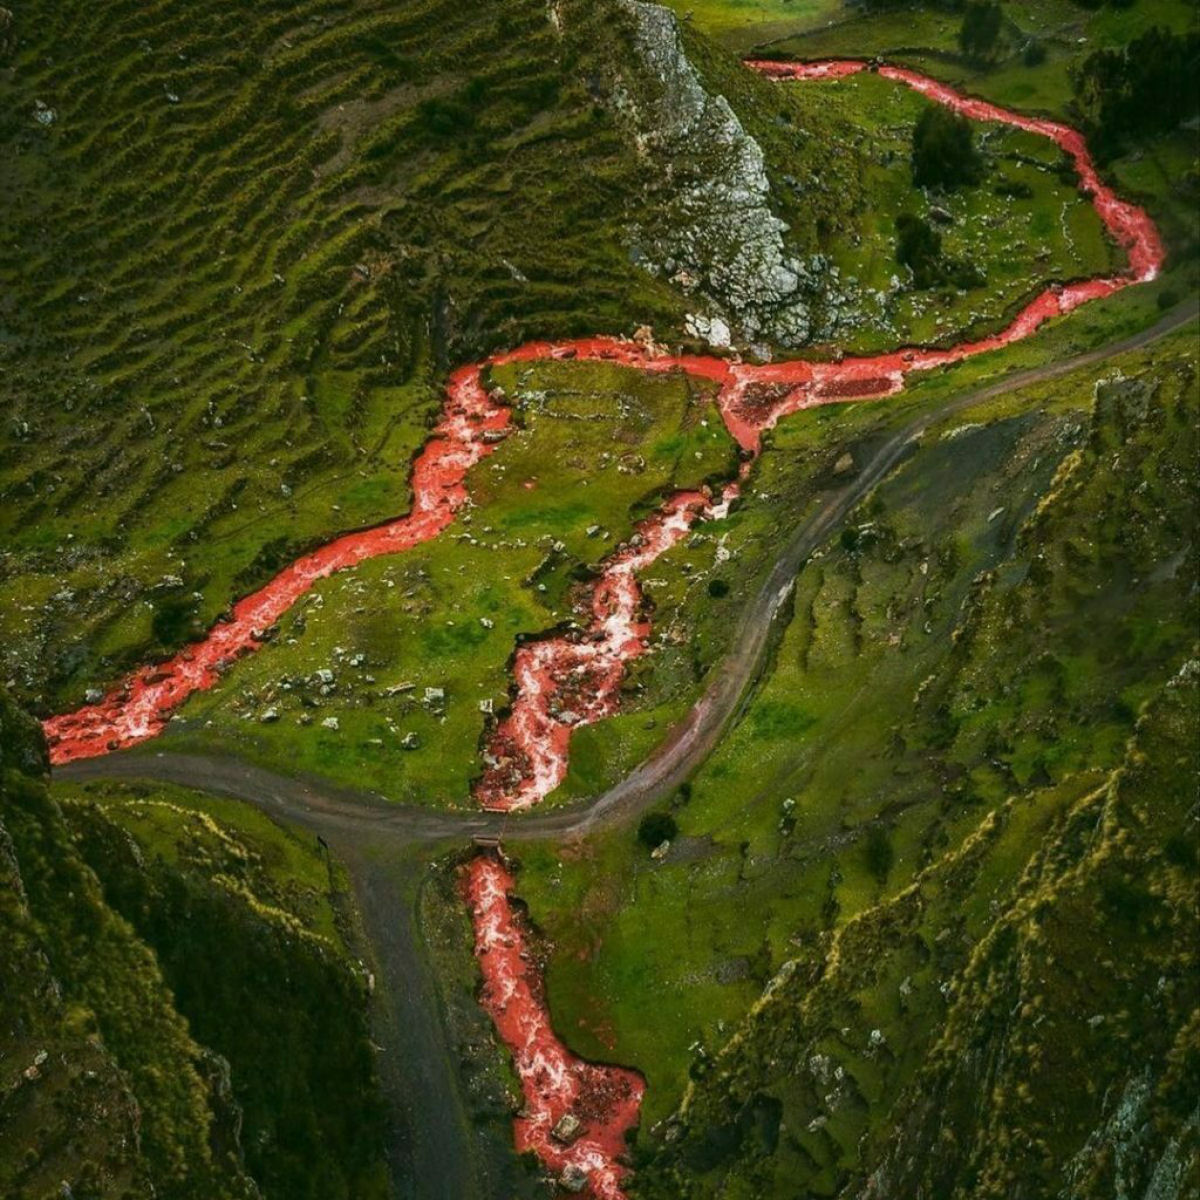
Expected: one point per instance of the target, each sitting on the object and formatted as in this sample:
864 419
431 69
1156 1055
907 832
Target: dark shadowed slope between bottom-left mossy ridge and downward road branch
250 937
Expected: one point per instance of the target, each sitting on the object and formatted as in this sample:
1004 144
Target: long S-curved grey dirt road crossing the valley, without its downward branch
368 819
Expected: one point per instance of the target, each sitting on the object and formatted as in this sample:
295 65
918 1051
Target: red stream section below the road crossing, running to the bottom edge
605 1101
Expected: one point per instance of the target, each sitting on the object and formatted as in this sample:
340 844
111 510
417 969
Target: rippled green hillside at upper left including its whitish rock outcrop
244 247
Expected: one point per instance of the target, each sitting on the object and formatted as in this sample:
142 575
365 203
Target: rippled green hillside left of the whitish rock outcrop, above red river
238 263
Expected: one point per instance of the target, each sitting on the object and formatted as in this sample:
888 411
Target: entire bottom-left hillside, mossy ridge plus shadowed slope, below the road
179 1013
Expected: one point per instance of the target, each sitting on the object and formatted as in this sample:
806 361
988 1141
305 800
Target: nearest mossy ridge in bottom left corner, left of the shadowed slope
101 1085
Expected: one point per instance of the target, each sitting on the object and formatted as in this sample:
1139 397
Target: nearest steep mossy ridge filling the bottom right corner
1070 1060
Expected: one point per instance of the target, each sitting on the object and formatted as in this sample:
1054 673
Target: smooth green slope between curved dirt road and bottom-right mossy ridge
651 957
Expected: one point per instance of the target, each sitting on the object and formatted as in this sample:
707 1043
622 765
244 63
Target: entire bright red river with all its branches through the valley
573 680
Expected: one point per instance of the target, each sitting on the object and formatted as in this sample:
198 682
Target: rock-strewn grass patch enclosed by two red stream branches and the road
417 649
